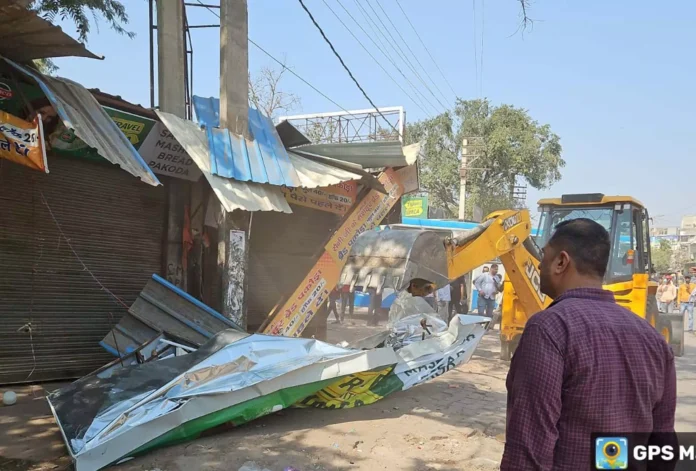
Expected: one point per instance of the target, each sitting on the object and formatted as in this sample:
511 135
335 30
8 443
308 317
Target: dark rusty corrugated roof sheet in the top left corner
24 36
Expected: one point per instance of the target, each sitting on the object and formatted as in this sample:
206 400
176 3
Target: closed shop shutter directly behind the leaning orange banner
282 251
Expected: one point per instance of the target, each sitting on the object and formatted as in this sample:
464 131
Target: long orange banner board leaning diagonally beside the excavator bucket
308 298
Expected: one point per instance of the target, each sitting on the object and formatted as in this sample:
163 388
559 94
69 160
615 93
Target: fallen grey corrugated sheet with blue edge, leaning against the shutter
162 307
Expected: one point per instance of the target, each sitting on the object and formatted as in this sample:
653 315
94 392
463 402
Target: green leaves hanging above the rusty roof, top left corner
83 13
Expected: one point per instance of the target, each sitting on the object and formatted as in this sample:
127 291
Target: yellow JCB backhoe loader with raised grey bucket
392 258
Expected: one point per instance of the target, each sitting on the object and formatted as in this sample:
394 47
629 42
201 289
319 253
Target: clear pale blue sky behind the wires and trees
613 79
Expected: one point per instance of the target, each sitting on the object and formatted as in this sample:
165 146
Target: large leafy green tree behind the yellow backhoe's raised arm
505 142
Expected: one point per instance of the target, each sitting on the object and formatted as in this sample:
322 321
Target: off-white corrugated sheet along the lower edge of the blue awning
231 193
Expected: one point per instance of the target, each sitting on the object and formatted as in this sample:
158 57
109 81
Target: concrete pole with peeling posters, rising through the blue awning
234 228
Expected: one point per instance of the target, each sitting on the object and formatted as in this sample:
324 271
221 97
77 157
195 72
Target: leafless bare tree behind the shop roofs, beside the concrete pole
265 93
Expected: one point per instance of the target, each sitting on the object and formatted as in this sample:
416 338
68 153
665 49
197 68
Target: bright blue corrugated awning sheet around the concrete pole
262 159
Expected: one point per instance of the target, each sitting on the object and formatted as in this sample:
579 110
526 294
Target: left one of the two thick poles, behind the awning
172 99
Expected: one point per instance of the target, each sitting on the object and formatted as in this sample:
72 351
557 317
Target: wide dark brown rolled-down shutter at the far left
53 313
